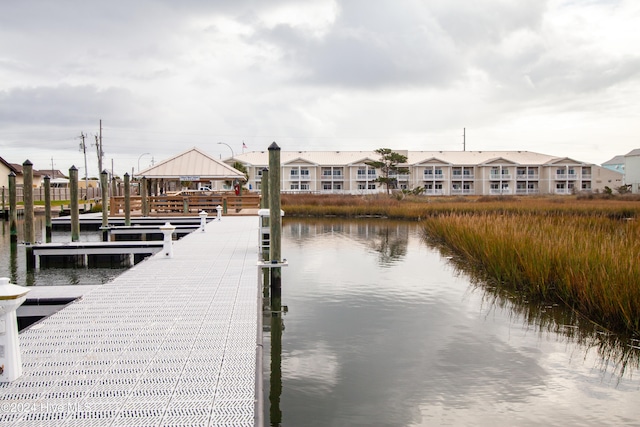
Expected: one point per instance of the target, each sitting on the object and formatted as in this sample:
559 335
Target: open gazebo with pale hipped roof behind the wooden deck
191 170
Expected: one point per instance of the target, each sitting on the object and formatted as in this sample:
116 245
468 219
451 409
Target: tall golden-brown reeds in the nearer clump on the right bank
588 262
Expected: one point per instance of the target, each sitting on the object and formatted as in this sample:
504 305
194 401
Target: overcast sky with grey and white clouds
559 77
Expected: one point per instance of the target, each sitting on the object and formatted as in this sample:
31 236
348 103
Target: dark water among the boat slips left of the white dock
13 260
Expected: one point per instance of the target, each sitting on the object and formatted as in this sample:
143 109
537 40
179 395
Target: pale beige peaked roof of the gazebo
192 163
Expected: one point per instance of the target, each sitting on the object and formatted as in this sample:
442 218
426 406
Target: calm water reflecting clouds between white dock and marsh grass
383 330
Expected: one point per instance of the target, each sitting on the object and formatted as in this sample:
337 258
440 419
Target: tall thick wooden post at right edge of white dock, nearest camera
275 220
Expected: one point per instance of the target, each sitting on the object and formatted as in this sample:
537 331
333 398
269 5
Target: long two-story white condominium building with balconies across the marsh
434 172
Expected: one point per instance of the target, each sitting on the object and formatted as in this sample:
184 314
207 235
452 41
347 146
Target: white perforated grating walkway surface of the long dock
170 342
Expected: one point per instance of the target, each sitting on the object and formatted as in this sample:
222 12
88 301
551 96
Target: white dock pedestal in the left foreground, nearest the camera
11 297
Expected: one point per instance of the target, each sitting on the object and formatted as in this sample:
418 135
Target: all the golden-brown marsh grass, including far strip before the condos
584 252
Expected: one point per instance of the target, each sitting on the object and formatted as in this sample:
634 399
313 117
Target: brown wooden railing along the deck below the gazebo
185 204
